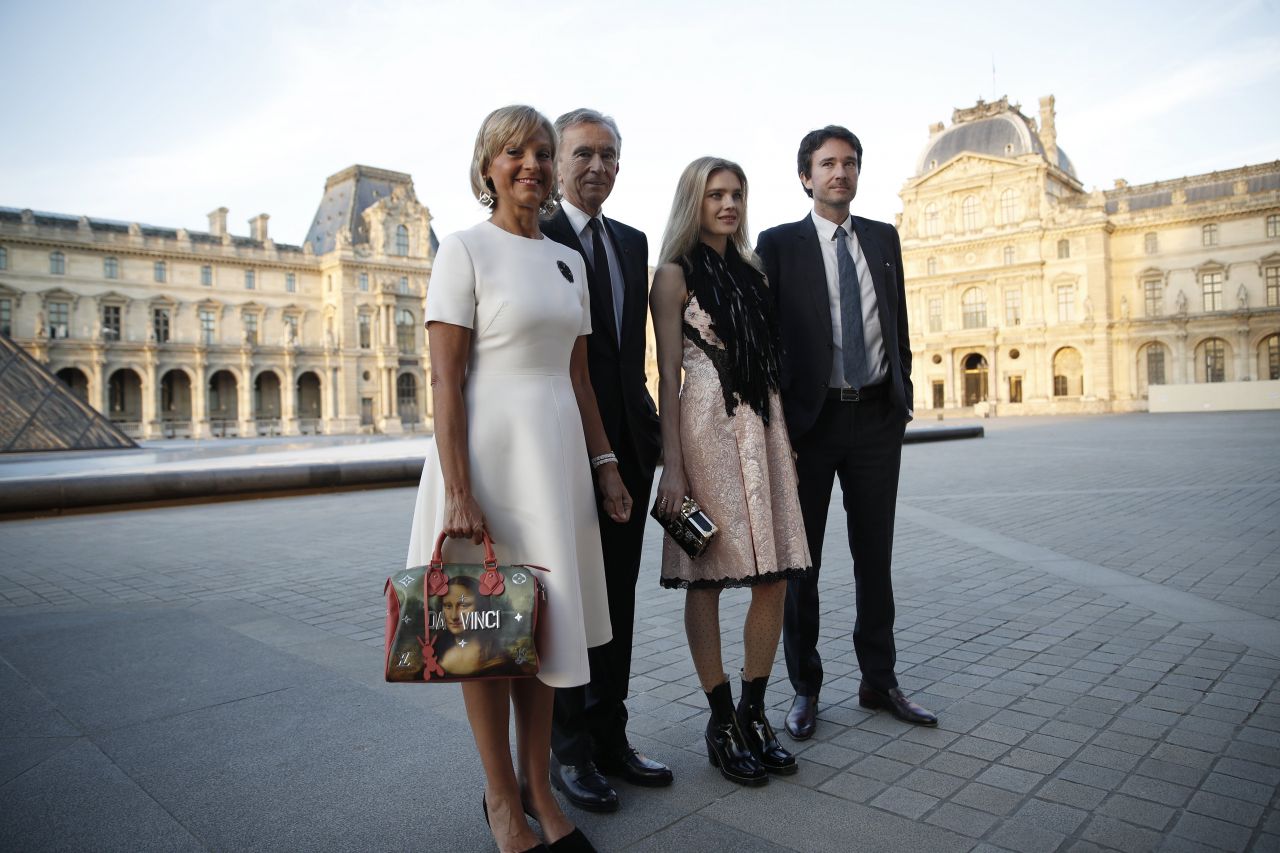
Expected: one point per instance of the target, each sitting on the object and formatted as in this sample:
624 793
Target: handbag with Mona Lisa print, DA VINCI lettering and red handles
461 622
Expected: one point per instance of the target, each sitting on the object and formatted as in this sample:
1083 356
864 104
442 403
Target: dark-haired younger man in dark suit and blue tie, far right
847 394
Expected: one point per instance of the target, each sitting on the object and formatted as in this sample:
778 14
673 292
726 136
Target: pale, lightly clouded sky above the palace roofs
159 113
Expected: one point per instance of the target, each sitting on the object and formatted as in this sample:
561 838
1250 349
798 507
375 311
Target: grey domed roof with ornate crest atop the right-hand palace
998 130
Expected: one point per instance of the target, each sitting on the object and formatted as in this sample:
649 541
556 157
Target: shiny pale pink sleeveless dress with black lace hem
740 472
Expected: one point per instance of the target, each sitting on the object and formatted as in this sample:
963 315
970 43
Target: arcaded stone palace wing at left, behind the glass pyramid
179 334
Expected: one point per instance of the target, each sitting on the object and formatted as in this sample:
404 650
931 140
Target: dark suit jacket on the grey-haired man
618 367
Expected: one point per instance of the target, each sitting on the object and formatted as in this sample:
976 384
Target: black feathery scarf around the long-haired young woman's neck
737 298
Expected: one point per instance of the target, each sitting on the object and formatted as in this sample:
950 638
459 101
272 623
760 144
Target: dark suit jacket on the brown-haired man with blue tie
798 282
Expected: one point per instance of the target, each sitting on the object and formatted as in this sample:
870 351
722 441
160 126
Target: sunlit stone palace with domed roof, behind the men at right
1030 295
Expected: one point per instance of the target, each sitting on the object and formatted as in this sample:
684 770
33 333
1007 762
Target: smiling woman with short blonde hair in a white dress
518 437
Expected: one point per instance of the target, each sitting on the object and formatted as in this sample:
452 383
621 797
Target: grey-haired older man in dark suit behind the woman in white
589 735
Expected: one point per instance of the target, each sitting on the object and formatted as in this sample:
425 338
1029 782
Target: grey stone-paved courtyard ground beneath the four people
1091 605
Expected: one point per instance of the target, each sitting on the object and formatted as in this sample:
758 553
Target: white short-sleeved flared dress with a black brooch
527 304
